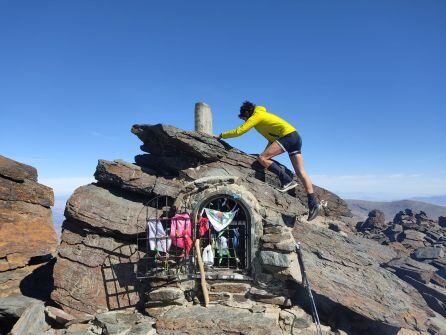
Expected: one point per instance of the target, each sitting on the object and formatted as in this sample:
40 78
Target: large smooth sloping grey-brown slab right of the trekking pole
346 271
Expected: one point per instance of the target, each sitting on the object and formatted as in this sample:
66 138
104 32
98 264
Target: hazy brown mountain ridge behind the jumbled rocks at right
361 208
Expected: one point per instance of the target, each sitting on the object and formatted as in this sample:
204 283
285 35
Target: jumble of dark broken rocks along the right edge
419 243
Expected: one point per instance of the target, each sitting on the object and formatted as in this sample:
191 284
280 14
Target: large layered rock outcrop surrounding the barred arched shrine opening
98 257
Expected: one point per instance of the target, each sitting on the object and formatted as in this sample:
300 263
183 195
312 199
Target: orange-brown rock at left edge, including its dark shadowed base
28 240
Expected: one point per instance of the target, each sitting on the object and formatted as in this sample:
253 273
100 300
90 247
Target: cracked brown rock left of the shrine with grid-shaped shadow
99 231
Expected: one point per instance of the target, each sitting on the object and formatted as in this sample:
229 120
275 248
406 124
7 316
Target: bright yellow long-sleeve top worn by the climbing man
269 125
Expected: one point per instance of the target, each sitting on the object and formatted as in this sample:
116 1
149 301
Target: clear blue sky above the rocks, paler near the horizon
364 83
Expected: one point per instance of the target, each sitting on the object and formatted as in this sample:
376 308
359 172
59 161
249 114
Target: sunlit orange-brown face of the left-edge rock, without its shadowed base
27 234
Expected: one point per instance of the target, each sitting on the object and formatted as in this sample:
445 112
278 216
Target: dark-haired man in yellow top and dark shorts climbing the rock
281 137
